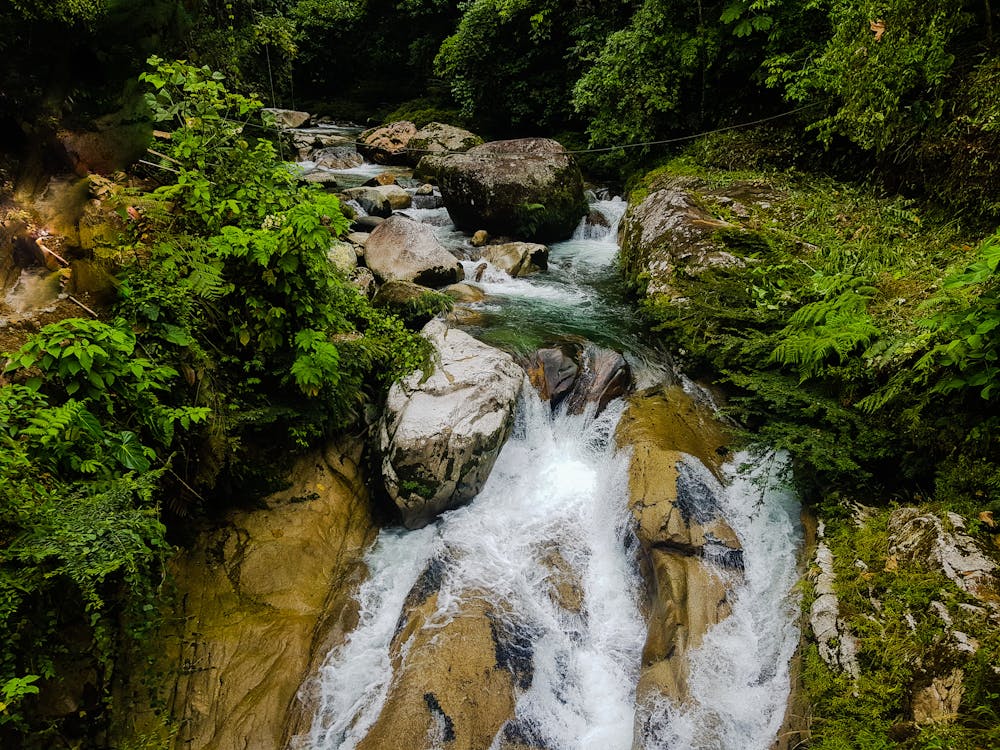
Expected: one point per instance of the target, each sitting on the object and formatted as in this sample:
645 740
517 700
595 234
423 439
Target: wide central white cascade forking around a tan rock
557 484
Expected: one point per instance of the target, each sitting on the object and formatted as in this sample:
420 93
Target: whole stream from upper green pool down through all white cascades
560 487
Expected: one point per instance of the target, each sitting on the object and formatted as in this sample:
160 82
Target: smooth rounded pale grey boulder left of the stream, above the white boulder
401 248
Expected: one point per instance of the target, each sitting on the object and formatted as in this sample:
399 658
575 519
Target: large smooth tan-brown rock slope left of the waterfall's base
261 600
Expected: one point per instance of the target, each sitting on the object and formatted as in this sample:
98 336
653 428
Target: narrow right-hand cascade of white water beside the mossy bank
739 678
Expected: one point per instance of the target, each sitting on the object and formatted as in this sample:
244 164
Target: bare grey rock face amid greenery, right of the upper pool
669 234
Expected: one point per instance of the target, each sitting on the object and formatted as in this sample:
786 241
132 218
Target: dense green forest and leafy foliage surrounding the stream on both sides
873 362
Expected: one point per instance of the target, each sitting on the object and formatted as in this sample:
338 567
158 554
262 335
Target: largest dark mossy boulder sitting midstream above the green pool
529 189
